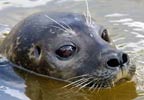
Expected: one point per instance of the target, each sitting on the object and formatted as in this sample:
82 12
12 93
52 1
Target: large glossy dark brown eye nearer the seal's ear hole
66 51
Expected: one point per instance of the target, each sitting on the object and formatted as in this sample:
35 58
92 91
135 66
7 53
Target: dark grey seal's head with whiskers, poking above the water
67 46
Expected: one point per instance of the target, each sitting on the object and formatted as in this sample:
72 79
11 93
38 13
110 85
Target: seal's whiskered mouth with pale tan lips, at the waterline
100 82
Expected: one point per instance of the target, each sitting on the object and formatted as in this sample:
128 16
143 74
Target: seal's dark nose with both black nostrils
118 61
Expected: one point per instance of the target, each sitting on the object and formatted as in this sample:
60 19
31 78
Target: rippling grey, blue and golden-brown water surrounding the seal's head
125 23
